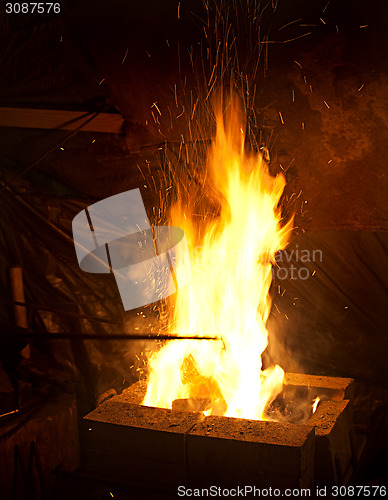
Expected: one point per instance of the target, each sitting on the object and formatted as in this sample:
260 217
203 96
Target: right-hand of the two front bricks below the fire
232 450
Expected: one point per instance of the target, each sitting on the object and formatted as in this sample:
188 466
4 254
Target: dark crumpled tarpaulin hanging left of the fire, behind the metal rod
35 233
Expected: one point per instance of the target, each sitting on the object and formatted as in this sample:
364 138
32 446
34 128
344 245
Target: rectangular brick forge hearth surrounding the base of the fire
123 440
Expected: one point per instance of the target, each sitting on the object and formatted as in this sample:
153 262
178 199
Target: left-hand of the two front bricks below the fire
138 444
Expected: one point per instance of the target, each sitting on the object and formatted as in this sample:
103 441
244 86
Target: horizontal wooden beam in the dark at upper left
110 123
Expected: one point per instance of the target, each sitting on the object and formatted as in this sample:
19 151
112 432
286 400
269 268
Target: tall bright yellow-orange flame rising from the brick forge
228 296
